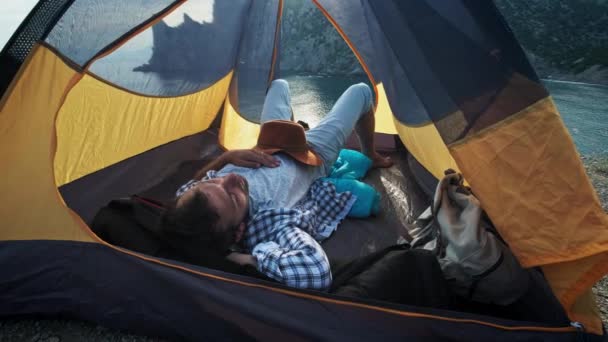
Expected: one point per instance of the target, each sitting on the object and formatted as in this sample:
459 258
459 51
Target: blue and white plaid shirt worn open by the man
285 241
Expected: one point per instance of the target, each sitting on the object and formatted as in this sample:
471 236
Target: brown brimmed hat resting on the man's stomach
288 137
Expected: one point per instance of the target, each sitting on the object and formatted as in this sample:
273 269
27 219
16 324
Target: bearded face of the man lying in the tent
229 196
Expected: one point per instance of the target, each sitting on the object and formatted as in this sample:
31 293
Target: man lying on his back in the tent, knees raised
270 199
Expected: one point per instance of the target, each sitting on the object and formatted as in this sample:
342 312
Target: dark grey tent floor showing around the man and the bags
402 201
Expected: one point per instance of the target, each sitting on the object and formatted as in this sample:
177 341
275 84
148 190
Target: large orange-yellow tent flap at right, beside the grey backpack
558 212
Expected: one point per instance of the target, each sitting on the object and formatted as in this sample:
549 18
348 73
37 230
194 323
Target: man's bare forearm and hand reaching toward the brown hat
246 158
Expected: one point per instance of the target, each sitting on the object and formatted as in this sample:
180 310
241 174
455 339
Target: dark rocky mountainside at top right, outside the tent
564 39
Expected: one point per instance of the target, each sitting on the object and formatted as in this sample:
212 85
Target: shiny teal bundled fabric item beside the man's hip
346 173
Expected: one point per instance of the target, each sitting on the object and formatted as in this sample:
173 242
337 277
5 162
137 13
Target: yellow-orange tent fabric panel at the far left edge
31 205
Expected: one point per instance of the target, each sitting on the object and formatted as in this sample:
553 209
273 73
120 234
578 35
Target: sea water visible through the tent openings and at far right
583 107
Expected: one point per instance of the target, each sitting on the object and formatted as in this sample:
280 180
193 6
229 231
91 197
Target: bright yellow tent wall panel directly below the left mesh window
100 125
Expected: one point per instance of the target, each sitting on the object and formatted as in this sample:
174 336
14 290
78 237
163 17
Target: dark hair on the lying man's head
193 227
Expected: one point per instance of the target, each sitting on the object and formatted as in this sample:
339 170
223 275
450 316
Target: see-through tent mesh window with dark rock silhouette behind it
190 49
